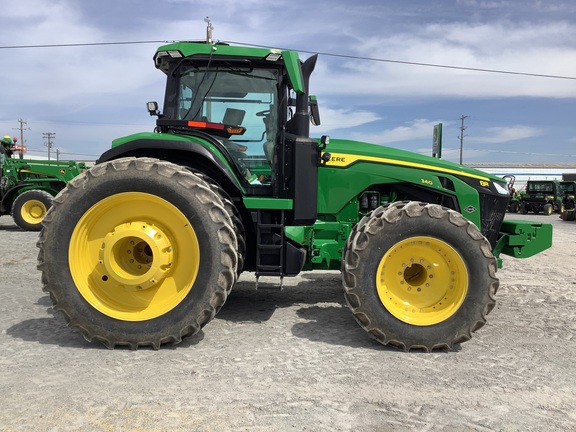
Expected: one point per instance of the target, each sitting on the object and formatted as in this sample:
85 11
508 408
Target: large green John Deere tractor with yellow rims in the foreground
144 248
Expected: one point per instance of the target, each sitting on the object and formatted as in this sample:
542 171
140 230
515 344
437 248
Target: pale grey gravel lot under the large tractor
295 360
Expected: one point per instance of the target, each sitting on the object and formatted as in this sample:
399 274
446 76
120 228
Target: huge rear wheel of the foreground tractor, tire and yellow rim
138 252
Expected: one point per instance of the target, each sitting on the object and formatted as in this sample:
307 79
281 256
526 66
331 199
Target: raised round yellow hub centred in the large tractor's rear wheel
135 256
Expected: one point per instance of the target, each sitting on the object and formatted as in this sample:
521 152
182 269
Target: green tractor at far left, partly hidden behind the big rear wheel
27 186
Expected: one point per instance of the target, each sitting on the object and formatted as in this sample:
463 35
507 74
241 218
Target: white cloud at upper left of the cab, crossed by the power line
71 78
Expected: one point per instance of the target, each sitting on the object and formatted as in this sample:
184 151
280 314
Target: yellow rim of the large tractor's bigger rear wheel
134 256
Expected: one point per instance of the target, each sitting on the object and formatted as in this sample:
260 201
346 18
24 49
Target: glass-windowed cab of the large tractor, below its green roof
232 101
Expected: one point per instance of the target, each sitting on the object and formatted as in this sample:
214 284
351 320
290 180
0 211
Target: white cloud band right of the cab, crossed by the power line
537 49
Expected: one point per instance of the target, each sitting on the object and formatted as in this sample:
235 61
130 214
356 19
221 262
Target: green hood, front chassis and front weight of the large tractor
356 166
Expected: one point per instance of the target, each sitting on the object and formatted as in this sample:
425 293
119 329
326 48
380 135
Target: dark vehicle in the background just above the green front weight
542 196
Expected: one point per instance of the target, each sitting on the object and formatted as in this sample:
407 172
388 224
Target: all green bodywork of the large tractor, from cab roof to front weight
354 171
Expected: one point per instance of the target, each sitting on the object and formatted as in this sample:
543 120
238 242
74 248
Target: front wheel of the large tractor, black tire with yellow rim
419 276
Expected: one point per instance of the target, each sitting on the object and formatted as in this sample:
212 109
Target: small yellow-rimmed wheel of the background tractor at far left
30 208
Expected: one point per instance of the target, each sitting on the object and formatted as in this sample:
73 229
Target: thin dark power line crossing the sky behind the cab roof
327 54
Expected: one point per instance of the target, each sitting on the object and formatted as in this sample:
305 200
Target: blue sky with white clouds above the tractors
373 79
